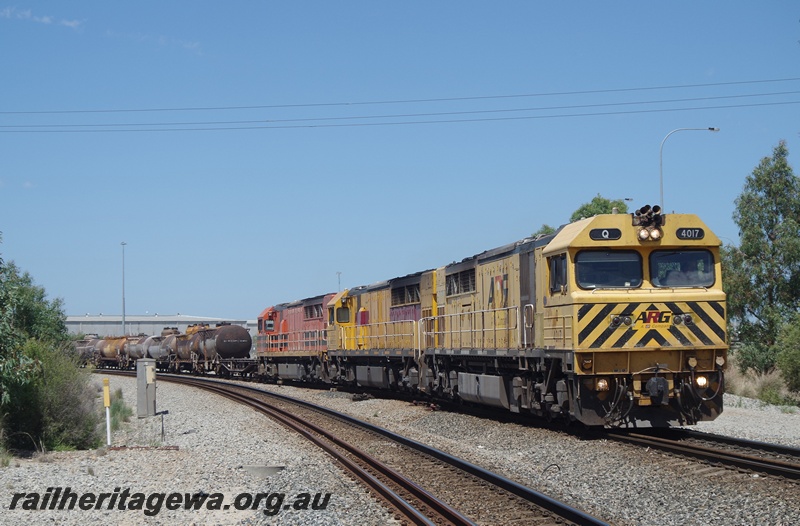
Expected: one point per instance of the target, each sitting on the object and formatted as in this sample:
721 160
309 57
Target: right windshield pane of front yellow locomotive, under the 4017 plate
682 268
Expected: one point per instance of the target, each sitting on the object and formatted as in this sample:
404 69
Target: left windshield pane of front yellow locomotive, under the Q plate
608 269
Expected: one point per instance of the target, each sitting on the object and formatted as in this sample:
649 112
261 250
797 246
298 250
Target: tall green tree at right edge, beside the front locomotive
762 275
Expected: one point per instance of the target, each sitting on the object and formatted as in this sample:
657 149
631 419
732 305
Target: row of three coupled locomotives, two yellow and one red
614 320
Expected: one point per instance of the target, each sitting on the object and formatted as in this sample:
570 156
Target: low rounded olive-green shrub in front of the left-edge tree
57 409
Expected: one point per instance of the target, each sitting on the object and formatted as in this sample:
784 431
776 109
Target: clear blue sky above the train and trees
246 152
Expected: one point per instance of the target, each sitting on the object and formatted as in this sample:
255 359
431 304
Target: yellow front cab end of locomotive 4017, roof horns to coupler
637 303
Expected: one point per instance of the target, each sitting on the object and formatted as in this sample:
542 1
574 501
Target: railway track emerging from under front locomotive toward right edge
743 455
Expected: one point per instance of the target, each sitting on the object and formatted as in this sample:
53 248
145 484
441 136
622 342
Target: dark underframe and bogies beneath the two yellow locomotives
539 382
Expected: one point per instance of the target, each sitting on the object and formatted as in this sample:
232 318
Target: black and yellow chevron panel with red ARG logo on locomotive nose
652 325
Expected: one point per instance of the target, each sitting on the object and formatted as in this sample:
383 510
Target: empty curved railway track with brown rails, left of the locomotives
421 484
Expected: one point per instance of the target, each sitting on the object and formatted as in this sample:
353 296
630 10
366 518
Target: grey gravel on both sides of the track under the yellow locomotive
620 484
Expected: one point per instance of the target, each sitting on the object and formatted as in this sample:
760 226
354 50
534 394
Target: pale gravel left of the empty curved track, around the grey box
222 448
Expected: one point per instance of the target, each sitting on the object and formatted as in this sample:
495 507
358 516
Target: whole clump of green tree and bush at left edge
46 400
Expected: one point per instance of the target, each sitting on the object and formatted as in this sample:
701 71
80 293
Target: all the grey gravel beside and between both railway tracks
620 484
